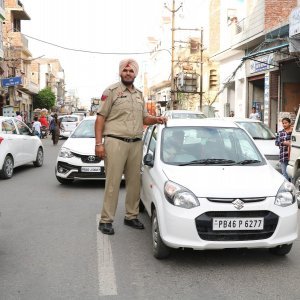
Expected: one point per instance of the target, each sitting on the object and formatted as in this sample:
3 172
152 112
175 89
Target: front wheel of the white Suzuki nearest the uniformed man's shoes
160 250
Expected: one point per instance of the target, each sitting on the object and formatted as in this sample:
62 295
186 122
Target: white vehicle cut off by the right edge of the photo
293 168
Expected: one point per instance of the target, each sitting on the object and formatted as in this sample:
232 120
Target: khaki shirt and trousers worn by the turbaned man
124 111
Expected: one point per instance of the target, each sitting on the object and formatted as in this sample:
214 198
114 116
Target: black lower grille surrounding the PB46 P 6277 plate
204 226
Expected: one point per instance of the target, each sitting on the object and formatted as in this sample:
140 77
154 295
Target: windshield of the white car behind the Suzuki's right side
258 130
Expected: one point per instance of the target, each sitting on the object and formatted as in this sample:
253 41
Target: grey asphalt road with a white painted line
50 248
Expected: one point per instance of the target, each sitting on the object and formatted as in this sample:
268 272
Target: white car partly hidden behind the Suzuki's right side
264 139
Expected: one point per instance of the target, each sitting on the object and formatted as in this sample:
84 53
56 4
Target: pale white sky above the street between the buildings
107 26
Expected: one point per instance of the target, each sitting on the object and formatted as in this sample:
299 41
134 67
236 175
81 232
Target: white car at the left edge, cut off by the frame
18 146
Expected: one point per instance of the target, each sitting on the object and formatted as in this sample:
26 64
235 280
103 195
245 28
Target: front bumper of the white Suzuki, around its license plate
192 228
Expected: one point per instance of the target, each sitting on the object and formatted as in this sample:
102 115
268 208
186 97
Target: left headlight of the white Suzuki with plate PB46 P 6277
180 196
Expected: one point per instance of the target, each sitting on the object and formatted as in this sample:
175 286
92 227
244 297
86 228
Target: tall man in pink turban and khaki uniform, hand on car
118 132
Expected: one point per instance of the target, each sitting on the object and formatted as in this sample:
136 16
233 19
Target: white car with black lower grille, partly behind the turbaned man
76 158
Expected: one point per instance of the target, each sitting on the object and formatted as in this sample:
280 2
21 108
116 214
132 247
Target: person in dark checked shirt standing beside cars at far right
283 141
